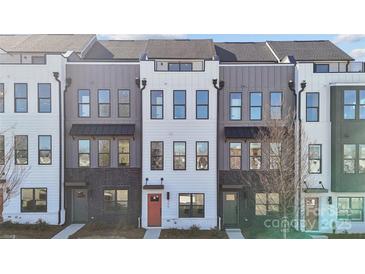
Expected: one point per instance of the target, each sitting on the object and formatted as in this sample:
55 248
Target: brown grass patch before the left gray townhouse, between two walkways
97 230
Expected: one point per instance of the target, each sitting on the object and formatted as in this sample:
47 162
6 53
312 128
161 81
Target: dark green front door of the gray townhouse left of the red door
79 206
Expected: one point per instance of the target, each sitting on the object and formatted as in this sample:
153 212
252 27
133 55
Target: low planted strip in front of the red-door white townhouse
192 234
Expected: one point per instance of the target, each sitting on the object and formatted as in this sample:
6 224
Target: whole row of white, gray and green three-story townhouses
160 133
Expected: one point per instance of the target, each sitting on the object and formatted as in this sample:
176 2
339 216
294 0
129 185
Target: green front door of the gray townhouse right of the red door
230 209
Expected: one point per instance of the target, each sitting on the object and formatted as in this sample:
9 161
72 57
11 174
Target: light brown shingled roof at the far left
45 43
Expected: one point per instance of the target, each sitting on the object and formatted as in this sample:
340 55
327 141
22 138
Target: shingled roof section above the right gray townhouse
244 52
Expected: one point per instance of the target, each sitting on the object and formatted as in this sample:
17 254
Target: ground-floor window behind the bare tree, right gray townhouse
267 204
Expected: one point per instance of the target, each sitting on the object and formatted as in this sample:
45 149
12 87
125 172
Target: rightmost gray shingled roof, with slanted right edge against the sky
319 50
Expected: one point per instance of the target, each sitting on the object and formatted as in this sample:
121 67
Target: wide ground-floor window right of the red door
191 205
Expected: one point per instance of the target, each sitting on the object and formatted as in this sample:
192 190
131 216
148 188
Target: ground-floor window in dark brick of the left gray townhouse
116 200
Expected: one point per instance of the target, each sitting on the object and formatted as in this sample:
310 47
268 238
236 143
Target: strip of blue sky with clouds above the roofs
353 44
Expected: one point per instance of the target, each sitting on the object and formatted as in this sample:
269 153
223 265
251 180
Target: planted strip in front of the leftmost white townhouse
28 231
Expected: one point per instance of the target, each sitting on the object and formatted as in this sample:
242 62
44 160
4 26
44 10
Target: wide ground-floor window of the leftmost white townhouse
34 200
